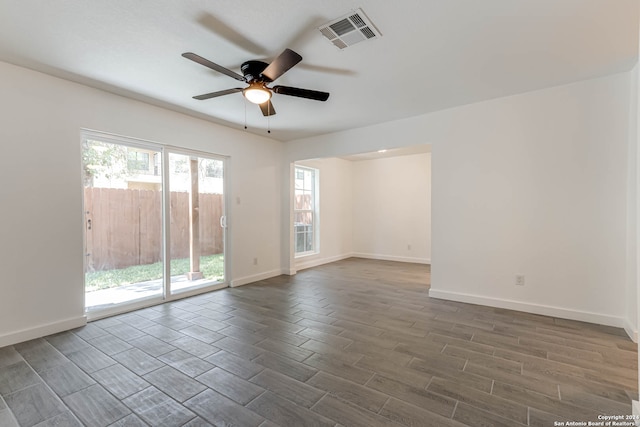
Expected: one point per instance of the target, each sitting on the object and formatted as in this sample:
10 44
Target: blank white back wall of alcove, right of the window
392 208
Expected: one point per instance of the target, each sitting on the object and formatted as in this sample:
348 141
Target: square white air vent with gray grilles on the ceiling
350 29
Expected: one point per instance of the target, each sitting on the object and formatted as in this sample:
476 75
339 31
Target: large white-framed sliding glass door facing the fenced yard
145 204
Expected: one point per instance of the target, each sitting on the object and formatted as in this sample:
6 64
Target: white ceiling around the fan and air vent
433 54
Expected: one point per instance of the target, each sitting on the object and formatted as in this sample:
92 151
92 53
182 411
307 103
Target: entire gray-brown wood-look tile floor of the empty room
352 343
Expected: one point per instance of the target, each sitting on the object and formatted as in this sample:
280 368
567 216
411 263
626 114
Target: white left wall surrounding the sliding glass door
41 200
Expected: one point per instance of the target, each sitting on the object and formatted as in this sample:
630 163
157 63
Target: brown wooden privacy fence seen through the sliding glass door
124 227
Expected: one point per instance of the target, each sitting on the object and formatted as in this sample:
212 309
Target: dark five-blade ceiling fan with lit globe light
258 74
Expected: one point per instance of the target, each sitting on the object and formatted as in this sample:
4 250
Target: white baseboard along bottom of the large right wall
545 310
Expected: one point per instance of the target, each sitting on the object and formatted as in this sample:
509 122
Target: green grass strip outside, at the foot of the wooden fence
211 266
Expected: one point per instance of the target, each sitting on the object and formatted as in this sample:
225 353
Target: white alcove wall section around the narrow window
335 212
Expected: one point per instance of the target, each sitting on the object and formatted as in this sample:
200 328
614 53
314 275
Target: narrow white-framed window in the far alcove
305 207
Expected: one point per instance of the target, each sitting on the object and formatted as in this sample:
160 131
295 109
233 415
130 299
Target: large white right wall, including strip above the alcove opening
532 184
